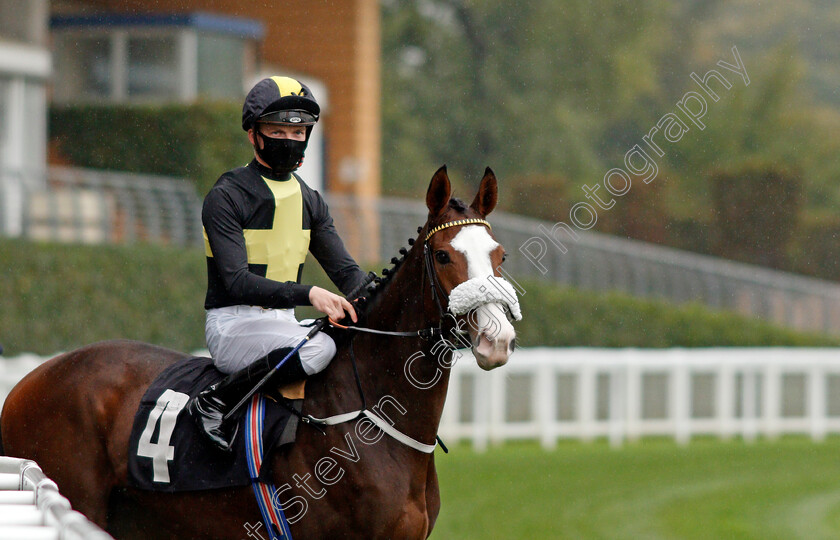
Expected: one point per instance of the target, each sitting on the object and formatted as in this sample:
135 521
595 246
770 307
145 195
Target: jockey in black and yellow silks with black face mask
259 222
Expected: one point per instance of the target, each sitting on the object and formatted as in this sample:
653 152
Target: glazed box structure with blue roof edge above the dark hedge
152 57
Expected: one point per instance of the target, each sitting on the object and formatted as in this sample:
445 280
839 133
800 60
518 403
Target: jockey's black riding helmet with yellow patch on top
280 100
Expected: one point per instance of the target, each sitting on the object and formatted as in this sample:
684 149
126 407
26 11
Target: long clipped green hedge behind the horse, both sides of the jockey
57 297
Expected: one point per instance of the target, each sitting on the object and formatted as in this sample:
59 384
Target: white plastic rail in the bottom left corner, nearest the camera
31 508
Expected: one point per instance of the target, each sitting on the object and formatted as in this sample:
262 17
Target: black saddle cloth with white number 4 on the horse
165 459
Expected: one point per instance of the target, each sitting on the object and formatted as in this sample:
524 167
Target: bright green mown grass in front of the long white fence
785 489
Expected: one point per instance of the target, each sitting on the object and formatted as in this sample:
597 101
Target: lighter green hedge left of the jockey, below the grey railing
58 297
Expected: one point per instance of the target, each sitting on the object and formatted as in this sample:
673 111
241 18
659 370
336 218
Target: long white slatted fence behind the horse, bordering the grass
624 394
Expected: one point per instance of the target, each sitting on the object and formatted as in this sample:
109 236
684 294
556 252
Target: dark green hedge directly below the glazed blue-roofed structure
198 141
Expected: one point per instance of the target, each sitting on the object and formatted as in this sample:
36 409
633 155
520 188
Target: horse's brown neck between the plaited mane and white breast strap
397 372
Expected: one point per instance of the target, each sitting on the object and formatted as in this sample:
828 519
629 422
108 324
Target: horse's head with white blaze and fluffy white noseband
463 257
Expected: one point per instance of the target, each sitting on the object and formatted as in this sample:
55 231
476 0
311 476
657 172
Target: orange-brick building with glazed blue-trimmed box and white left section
147 50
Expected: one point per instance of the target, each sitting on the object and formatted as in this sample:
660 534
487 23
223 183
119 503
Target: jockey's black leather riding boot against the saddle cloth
209 408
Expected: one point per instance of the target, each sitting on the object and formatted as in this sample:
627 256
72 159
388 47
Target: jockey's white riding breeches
240 335
